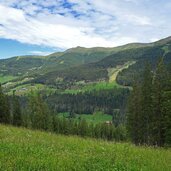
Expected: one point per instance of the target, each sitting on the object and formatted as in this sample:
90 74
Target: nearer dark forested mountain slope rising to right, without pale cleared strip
138 54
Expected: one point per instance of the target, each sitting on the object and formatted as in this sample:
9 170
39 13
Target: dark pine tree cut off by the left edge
4 108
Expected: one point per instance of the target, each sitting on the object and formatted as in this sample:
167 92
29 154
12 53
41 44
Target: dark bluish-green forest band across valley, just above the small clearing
90 101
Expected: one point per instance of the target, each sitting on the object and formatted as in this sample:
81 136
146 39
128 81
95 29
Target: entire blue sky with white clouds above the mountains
40 27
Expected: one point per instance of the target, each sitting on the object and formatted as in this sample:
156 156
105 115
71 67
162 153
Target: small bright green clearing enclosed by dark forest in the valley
95 118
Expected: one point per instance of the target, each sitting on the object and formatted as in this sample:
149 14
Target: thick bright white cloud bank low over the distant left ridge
28 30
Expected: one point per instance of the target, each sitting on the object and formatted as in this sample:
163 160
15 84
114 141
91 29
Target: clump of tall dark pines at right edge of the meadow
149 108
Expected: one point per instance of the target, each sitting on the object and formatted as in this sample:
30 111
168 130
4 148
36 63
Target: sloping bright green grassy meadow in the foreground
22 149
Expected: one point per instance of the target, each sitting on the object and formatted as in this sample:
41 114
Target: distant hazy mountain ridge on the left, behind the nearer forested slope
21 65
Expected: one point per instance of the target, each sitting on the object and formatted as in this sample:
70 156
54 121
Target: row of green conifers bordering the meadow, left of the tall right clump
37 115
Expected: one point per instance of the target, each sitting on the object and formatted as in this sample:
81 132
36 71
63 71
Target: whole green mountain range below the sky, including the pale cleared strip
68 68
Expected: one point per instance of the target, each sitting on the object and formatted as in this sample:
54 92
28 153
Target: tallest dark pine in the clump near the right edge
159 86
